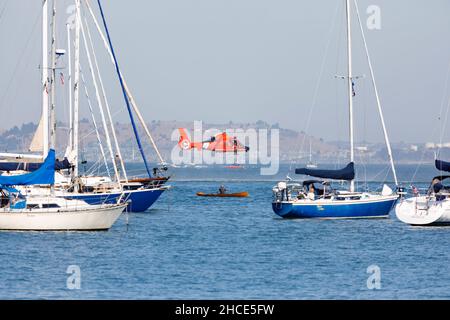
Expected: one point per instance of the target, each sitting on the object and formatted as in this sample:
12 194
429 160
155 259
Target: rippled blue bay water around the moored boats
188 247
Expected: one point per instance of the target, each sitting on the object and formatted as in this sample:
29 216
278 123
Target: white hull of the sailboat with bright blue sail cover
86 219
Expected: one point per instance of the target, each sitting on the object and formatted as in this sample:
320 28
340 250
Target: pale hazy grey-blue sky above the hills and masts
249 60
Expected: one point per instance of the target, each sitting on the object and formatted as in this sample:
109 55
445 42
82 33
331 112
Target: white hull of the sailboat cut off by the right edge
422 211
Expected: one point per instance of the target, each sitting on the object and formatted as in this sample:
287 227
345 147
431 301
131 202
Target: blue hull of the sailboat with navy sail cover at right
358 209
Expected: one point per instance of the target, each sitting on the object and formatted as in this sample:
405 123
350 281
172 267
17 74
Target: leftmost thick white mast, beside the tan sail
44 70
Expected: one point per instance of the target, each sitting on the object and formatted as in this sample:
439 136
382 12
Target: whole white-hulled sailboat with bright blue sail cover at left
48 212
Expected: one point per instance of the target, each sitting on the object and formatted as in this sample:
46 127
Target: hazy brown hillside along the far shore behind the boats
17 139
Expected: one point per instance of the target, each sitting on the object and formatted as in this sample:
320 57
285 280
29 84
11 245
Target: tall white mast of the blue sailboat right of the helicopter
350 89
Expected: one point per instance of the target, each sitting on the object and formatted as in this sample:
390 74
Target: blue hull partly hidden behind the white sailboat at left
140 200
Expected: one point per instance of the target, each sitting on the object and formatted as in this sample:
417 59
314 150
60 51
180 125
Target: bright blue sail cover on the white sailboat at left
44 175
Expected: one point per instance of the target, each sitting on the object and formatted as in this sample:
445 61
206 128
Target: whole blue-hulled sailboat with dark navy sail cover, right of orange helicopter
317 198
